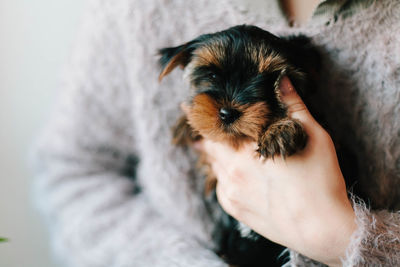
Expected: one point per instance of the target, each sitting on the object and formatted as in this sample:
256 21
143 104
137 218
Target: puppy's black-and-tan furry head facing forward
235 76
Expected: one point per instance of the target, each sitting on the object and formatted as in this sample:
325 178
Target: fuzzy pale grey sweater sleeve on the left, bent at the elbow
84 160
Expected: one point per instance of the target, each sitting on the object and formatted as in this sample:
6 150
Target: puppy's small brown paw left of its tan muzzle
183 134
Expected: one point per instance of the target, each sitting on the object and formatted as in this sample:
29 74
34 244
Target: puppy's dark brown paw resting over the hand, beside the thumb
283 138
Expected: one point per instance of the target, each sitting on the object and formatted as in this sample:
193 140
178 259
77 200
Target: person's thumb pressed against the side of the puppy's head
295 105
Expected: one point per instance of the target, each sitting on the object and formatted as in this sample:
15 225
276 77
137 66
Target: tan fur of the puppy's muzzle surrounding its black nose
204 118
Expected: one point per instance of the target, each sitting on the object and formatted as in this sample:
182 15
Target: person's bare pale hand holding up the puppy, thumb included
300 202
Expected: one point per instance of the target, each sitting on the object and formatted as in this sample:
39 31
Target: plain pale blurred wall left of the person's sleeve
35 41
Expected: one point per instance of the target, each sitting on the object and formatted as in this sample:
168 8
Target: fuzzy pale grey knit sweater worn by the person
114 190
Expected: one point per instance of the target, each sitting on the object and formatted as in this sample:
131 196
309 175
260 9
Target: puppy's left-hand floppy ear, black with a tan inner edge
171 57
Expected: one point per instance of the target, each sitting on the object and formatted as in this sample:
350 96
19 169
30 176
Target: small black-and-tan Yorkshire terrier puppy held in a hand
235 76
